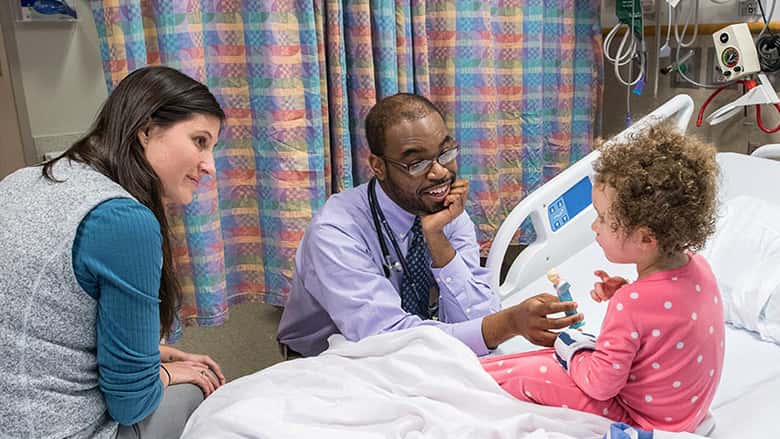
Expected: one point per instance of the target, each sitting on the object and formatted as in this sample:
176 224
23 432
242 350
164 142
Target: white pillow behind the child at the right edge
744 254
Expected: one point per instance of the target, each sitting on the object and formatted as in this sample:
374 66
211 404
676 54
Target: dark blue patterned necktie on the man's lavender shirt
418 281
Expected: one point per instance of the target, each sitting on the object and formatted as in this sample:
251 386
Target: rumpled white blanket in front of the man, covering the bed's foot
417 383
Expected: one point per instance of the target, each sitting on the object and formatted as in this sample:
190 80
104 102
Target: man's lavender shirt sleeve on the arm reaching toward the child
361 301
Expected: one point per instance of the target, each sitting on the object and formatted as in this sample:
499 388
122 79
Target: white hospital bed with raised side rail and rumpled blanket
422 383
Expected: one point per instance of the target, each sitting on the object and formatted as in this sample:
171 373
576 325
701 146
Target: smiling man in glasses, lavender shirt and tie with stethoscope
400 251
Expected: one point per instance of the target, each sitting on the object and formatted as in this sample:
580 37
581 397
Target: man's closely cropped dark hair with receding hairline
401 107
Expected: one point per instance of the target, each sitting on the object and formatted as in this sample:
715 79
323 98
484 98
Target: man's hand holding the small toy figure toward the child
529 319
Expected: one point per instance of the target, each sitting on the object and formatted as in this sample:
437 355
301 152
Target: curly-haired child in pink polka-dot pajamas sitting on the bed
658 359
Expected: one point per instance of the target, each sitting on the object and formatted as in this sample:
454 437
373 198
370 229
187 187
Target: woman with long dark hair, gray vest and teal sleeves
88 285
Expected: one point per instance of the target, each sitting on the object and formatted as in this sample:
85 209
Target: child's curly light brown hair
665 181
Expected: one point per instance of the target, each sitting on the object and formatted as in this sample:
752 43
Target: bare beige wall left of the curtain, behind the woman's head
62 77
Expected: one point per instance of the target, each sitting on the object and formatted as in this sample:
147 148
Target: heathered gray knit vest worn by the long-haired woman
48 364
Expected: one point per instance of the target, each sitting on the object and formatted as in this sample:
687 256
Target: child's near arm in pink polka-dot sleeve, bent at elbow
601 371
